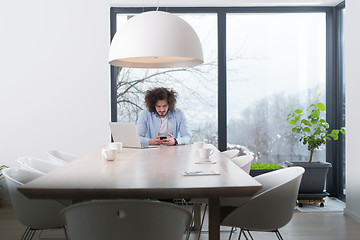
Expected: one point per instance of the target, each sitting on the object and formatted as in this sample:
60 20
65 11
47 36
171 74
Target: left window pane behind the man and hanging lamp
196 86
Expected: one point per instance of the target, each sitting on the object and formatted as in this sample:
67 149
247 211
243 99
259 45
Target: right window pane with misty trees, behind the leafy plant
273 59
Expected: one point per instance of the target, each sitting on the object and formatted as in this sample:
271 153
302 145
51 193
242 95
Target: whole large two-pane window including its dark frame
257 60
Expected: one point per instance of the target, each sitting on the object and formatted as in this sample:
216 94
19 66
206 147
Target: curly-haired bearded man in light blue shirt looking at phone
161 123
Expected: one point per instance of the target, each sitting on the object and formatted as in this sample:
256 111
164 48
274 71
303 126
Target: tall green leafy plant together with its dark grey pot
314 132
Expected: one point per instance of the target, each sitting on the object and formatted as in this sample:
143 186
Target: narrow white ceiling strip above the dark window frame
225 3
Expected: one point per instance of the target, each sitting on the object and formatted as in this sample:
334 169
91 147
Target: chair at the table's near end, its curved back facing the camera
125 219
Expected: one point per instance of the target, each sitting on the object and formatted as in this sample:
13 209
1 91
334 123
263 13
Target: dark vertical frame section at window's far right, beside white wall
335 103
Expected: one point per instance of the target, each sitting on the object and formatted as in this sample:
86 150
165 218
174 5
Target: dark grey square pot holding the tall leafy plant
313 180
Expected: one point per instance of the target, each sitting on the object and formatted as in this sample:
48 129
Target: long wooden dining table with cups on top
155 173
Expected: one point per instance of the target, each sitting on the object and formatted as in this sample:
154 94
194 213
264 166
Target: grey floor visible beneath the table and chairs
304 225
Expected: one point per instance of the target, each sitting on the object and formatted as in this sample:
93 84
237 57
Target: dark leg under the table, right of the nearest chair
214 219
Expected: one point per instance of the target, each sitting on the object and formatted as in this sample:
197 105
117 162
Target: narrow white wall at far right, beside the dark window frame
352 76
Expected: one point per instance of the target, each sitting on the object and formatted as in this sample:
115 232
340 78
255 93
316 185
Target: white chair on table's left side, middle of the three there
38 165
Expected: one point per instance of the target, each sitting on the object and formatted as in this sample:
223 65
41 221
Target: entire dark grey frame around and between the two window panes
334 81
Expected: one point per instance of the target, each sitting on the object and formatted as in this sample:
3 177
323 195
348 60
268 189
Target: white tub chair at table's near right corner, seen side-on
269 209
